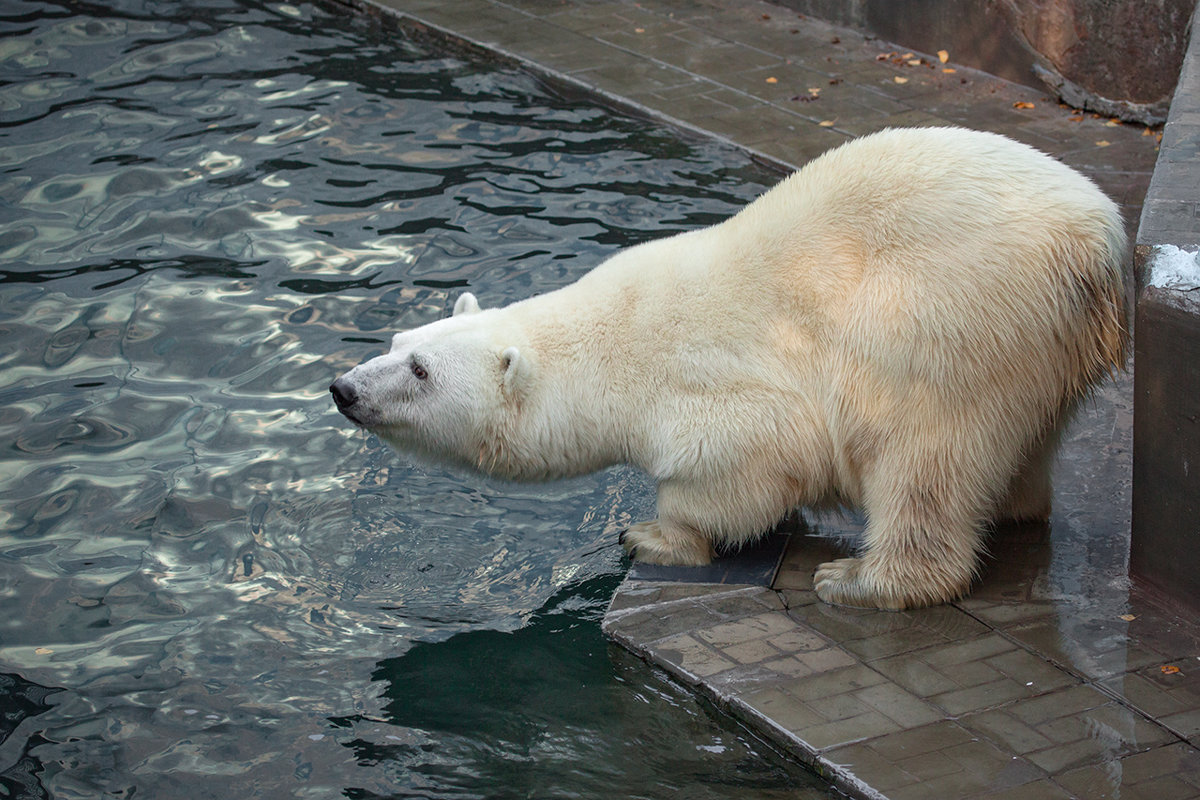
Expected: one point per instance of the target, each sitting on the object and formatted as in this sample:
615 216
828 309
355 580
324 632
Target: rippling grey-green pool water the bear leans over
213 586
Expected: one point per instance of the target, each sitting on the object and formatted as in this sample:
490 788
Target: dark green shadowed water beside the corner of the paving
551 709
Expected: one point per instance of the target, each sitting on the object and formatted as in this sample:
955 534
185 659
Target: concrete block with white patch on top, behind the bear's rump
1167 413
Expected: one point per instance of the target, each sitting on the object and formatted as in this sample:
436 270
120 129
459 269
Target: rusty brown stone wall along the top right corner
1115 57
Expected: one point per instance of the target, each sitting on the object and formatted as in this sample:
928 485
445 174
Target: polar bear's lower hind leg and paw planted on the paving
922 550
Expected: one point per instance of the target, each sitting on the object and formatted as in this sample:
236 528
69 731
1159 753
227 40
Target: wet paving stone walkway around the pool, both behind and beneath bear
1057 677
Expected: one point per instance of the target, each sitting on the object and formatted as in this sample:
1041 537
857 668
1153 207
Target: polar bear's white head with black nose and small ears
445 392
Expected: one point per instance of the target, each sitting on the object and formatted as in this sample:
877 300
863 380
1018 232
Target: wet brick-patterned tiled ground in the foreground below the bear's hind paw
950 702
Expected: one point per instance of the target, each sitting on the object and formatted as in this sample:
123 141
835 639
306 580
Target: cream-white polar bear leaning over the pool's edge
903 326
